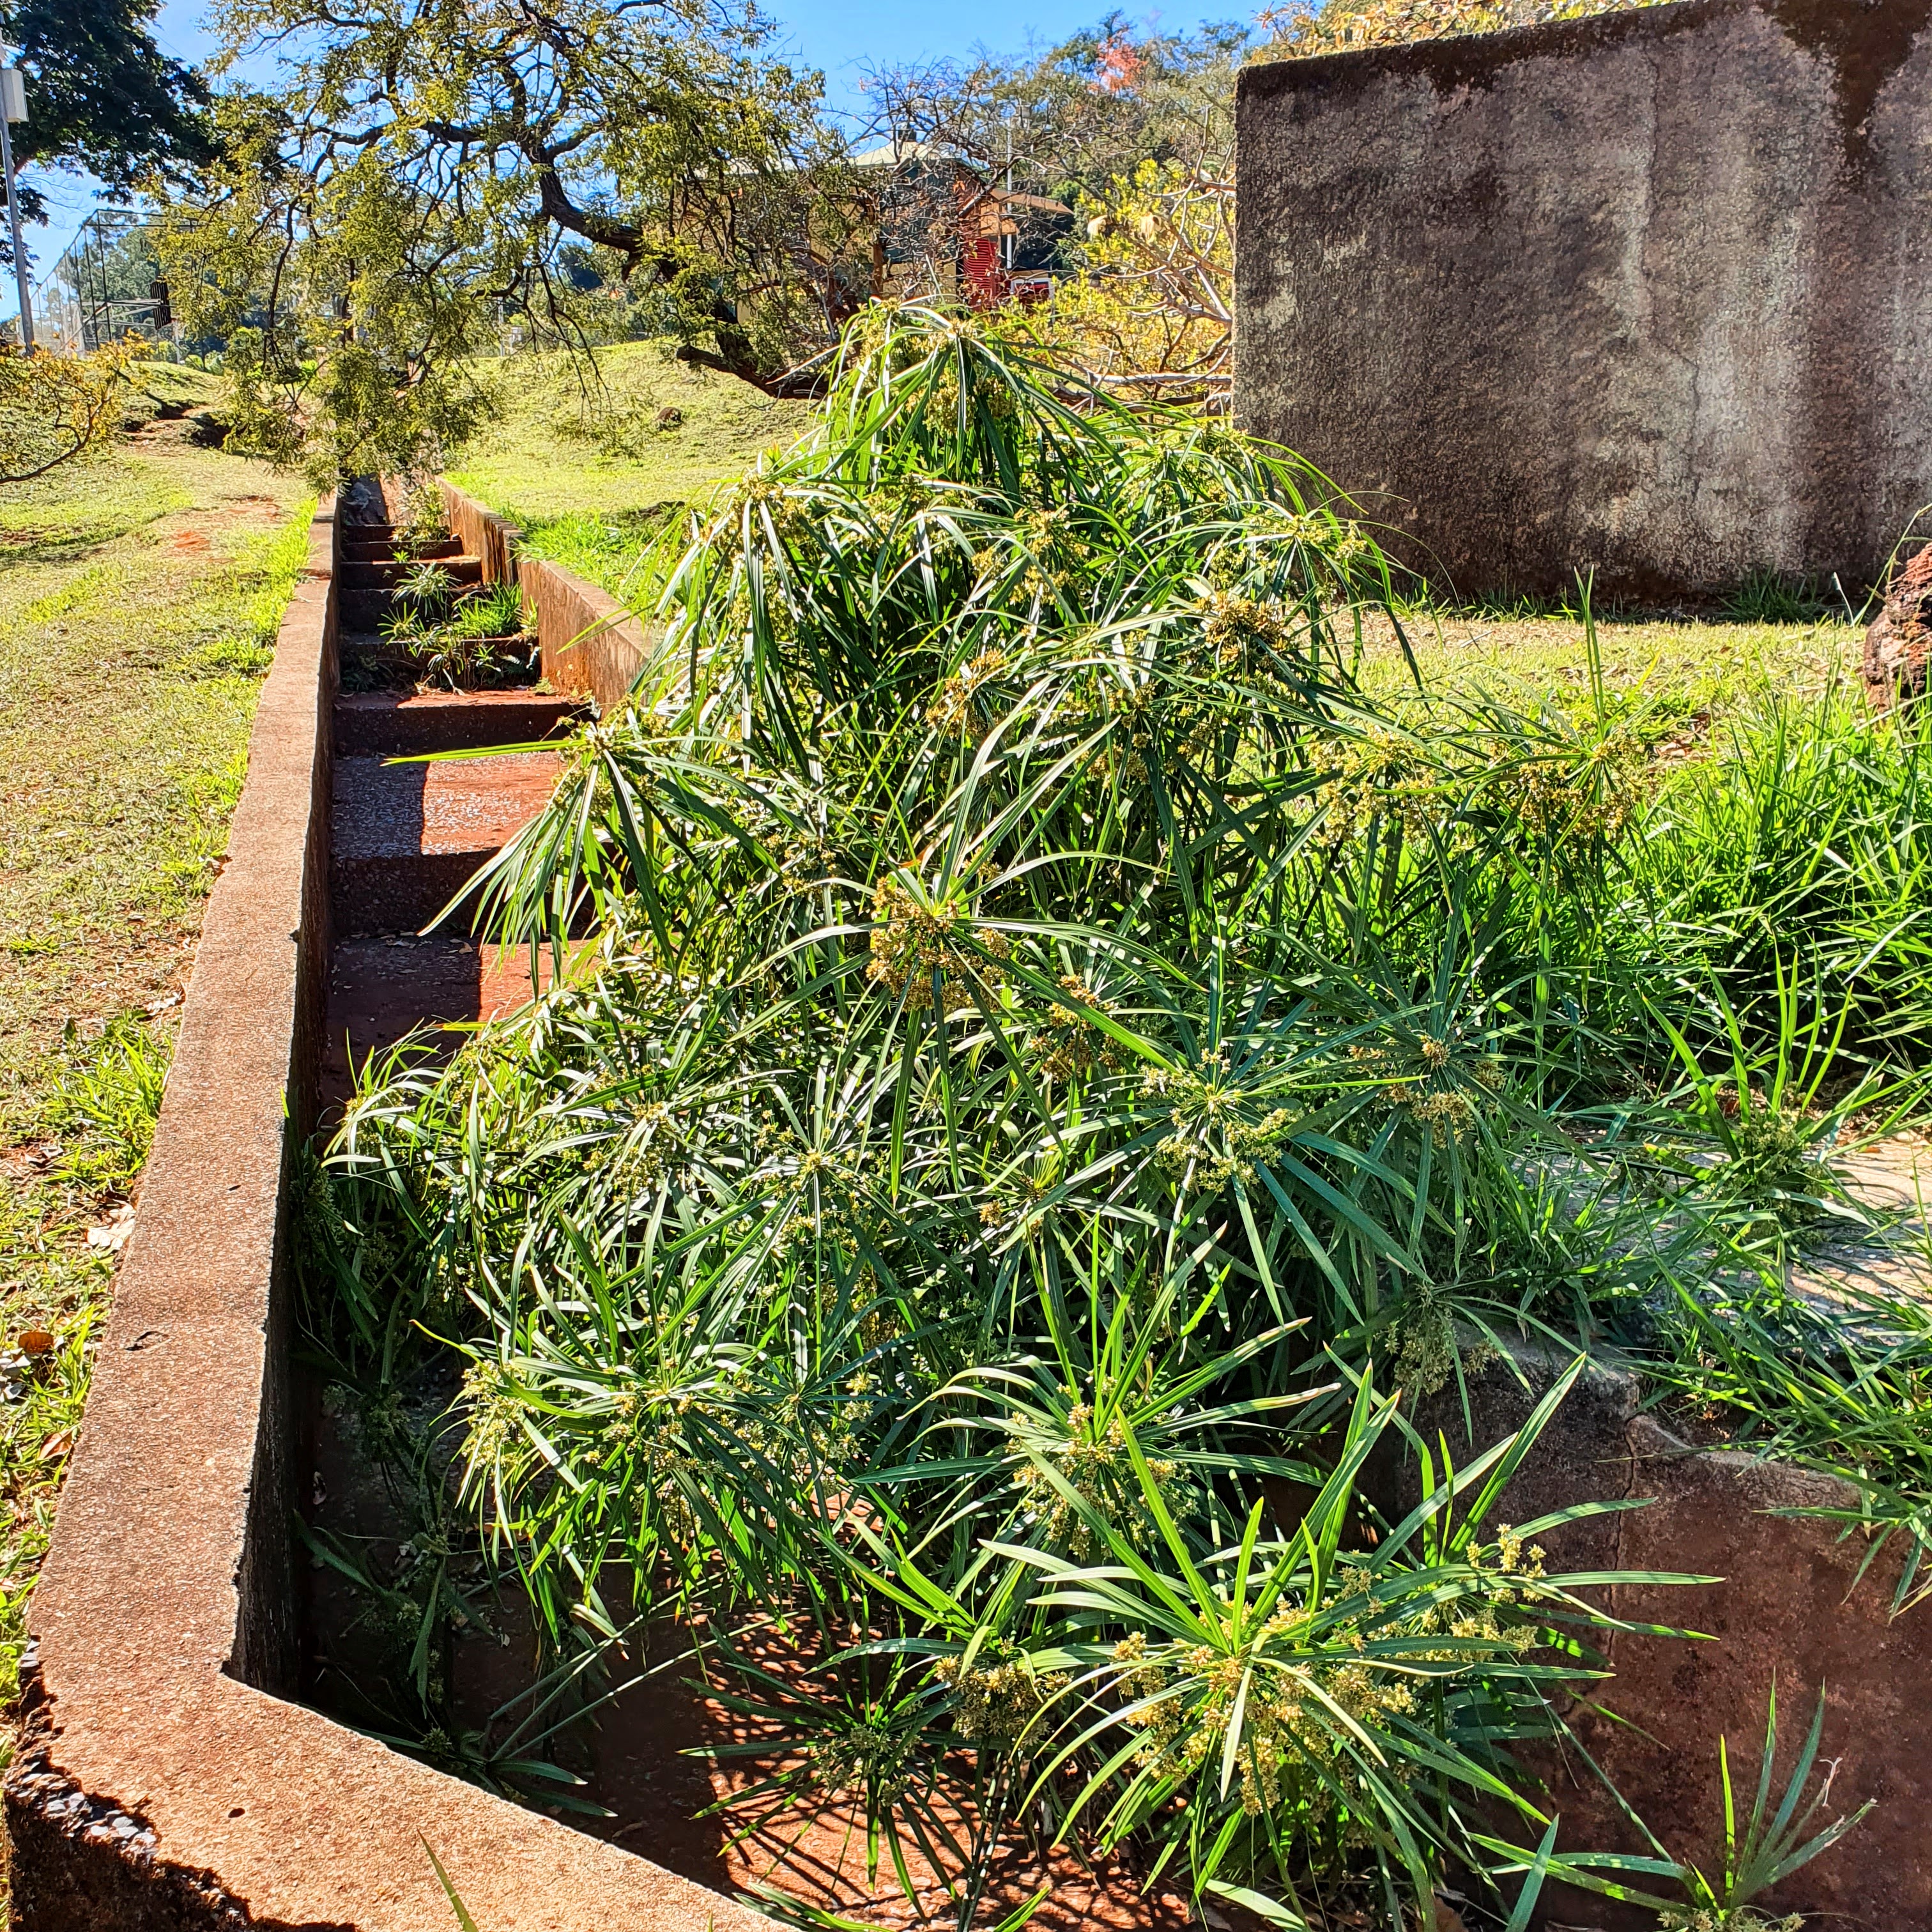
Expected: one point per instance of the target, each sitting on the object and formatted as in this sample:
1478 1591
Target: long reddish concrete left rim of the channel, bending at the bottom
163 1780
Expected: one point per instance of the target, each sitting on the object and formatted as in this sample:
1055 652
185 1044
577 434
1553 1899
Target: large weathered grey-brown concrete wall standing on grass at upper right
1647 293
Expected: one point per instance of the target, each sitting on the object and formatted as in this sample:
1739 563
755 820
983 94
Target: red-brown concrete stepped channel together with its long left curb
169 1776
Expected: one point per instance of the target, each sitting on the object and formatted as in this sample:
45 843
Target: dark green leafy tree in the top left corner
103 96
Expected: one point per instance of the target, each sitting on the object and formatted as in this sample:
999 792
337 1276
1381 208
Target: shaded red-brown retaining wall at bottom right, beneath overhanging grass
1790 1608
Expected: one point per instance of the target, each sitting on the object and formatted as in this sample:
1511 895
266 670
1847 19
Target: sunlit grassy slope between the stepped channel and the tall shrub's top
592 470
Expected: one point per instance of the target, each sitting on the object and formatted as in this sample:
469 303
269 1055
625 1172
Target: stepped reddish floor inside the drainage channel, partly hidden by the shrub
387 1535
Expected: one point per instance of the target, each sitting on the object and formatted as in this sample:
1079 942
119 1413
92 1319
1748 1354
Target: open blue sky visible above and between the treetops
845 38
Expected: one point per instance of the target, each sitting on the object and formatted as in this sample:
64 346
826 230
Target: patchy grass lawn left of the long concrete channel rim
140 598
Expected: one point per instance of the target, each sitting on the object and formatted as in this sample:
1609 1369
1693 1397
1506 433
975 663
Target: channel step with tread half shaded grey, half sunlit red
409 838
